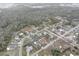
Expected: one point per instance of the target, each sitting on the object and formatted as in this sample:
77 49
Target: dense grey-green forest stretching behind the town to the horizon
15 18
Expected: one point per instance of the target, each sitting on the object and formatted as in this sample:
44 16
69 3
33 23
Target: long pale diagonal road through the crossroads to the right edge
62 36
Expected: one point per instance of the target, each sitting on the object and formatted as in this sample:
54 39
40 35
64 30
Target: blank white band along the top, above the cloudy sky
39 1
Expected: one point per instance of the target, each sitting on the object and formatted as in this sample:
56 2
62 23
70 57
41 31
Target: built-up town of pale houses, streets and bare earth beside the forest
34 40
